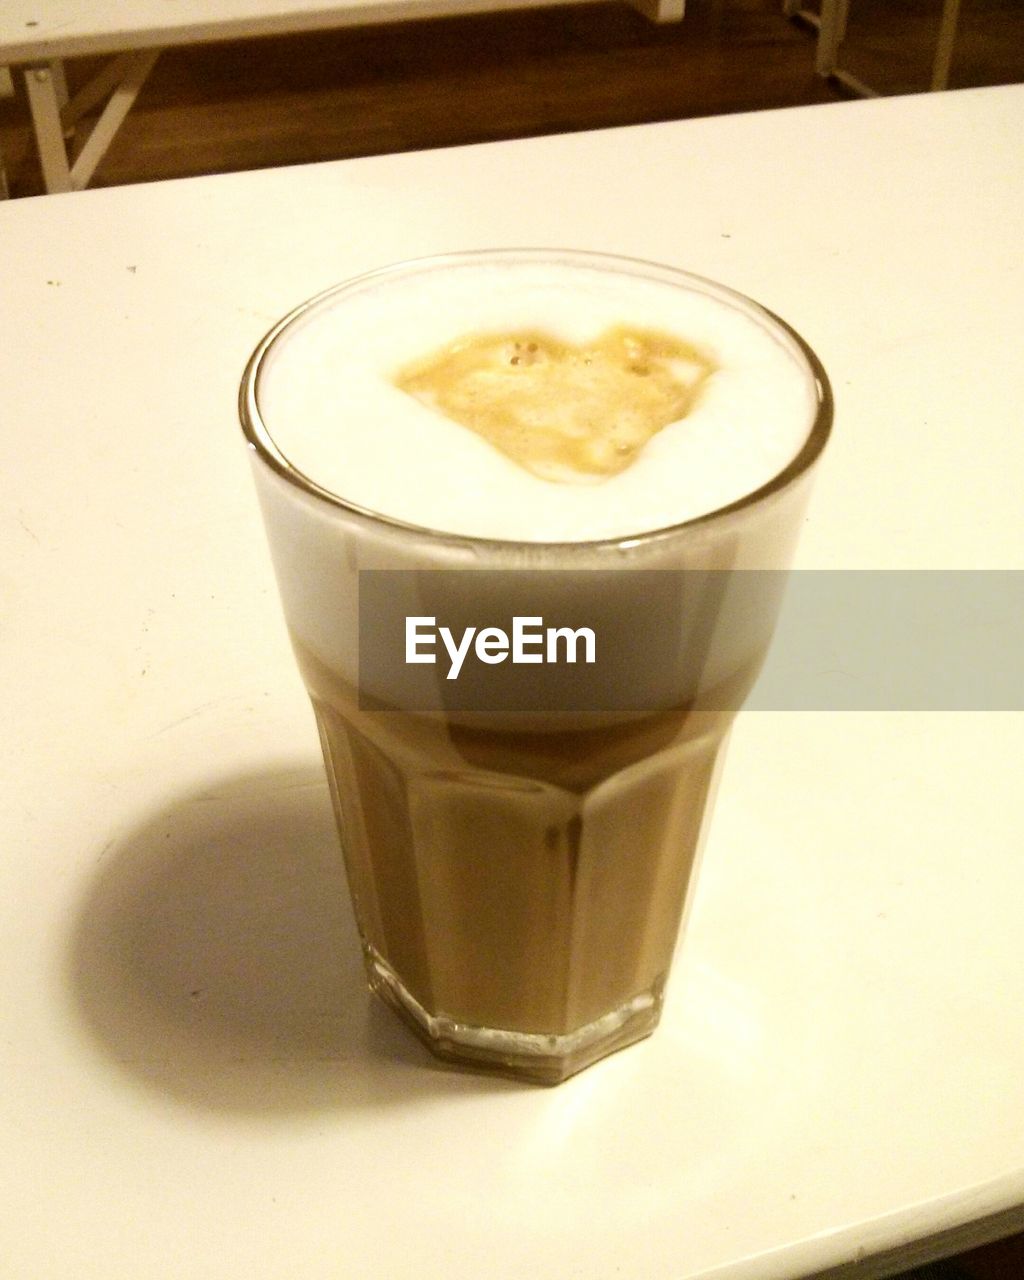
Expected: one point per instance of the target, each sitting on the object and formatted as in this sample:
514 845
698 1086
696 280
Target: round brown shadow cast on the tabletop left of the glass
216 959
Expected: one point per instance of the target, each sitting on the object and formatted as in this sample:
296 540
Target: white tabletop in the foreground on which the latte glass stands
193 1081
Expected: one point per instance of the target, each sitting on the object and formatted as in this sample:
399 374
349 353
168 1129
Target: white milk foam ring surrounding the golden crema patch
328 400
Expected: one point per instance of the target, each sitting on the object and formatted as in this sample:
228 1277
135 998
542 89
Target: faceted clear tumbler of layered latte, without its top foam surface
520 871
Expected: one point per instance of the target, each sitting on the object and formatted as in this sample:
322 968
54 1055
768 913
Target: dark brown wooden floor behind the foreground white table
377 90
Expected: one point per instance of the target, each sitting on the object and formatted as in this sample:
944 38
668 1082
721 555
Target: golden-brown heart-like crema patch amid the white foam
566 413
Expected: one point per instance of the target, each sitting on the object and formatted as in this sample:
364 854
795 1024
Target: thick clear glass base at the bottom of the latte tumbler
524 1055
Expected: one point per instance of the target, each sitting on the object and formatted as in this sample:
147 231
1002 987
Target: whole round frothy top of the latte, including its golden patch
543 400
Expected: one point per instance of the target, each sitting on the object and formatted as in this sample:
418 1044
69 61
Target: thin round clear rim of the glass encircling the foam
262 442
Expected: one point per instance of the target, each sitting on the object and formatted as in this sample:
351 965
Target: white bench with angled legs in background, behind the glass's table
36 36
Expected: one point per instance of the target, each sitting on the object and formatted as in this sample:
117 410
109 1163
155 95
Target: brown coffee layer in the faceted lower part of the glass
529 883
